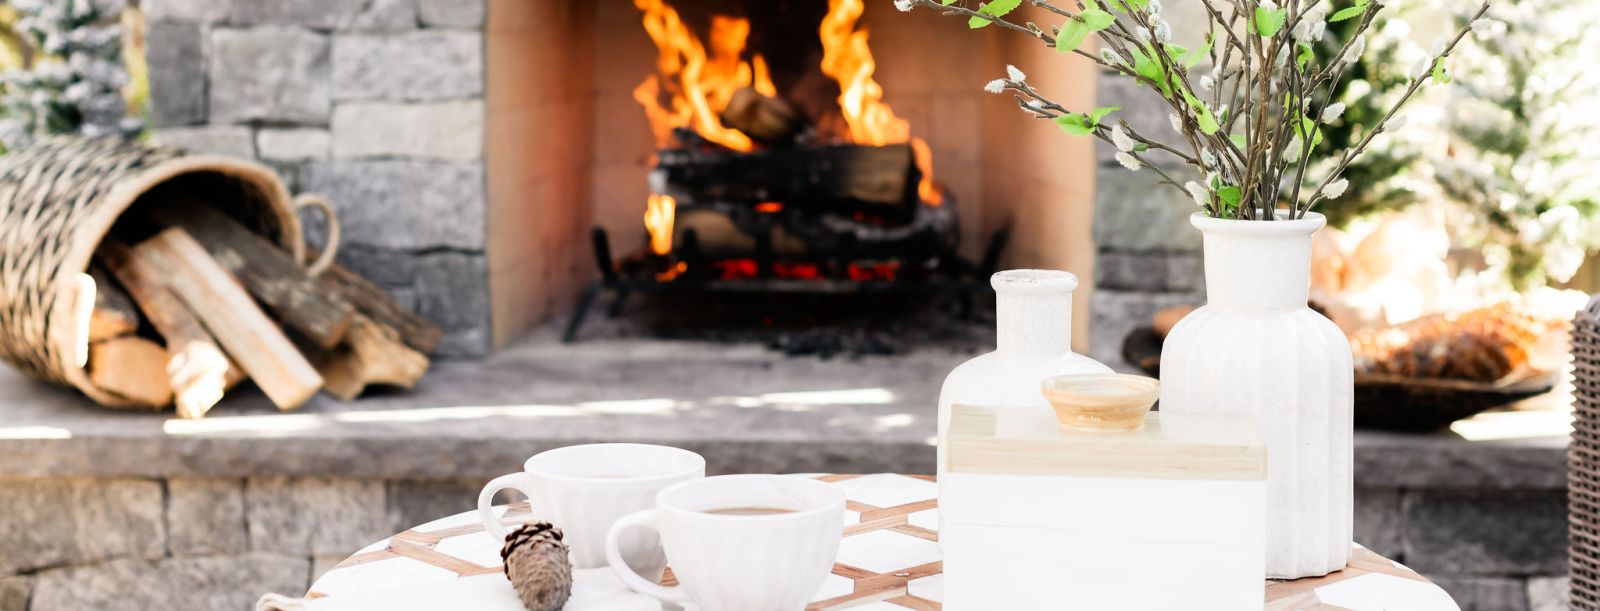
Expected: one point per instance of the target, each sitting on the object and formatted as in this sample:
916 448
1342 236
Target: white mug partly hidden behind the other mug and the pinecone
583 490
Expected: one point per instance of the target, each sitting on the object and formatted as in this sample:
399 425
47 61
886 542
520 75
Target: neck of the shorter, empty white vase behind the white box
1034 313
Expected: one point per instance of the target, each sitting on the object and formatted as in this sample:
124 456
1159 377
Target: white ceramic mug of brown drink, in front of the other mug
770 562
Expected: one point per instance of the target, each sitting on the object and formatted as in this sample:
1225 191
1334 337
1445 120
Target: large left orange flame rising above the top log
698 86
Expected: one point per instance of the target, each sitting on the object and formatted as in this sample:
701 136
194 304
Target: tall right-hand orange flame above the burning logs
849 60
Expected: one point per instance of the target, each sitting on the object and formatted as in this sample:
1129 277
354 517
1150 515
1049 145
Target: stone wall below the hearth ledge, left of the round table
196 543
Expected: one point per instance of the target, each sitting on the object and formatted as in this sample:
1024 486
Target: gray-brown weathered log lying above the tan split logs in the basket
268 273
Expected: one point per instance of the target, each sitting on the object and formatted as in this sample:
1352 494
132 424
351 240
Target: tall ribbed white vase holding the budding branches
1258 349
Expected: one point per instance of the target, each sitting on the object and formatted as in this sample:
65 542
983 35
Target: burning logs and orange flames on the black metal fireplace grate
786 175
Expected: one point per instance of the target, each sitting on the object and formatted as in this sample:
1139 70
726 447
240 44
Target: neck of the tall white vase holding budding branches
1258 265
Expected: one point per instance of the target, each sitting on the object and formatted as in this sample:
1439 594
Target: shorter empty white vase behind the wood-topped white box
1034 341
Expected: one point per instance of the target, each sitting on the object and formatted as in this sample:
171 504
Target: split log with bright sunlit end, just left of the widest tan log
199 370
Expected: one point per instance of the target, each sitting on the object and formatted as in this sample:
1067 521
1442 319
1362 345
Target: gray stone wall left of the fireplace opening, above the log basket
375 103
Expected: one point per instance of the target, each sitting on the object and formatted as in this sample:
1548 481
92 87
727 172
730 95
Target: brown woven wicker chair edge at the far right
1583 461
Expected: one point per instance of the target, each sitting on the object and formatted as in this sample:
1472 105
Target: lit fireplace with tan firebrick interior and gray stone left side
476 150
